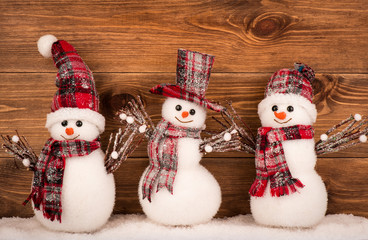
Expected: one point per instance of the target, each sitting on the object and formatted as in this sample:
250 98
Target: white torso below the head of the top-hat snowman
196 197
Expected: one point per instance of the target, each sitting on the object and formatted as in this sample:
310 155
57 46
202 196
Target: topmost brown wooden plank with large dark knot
143 36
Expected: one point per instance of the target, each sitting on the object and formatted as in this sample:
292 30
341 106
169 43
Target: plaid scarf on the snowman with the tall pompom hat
49 171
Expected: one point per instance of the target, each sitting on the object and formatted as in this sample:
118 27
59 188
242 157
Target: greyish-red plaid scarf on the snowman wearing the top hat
163 154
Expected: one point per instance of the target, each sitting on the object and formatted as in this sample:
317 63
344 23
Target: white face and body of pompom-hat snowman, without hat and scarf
88 192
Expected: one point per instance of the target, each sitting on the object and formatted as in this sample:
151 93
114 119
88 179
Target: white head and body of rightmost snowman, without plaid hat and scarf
307 206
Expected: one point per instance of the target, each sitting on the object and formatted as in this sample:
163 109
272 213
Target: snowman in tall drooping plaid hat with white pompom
71 189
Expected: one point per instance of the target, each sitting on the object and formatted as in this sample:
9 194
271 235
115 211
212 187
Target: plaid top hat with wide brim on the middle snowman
192 77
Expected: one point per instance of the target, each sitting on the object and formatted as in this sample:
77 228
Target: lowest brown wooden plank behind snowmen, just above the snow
344 179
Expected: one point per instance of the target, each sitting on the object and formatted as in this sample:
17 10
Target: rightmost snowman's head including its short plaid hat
288 98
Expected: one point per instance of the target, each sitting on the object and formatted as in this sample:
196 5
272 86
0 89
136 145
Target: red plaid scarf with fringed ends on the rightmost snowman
271 164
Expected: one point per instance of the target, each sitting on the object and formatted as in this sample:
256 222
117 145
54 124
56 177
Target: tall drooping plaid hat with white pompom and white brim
76 97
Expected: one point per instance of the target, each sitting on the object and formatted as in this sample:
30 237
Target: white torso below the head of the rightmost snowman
304 208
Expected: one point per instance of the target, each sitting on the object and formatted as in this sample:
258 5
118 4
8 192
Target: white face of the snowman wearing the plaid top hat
184 113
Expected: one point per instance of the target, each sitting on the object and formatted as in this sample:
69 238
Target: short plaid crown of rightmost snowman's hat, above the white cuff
297 81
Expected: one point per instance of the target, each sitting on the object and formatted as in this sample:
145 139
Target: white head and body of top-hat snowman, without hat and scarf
196 194
